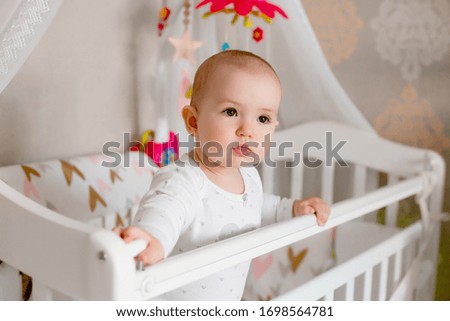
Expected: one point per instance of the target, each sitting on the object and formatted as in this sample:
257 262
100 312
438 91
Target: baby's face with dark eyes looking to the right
237 114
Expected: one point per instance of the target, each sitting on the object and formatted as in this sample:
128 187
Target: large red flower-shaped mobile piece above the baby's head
263 9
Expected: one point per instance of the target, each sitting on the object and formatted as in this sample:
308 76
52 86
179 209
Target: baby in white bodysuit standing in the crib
215 192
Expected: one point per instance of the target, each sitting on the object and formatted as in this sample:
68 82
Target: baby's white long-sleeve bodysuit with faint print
184 210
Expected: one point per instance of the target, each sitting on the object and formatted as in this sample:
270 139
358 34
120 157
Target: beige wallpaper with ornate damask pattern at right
393 59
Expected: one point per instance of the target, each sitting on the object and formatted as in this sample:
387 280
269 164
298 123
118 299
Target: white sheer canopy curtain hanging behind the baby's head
311 92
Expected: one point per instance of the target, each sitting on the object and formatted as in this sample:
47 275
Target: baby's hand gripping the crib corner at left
153 252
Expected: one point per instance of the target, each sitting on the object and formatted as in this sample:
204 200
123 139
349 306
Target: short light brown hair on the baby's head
237 58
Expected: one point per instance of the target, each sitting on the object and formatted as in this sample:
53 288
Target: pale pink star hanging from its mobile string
185 46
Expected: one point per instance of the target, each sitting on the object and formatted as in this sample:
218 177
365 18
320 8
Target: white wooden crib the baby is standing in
77 259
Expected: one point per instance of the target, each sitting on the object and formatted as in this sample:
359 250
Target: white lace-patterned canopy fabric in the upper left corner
22 24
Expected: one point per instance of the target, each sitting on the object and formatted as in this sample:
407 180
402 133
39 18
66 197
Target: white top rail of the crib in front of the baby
189 267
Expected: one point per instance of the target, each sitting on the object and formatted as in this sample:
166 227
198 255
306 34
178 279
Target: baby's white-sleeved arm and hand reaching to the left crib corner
165 211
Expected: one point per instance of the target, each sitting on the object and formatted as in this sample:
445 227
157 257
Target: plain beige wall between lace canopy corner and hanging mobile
83 85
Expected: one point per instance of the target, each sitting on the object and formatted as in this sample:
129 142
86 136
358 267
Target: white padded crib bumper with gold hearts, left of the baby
81 188
